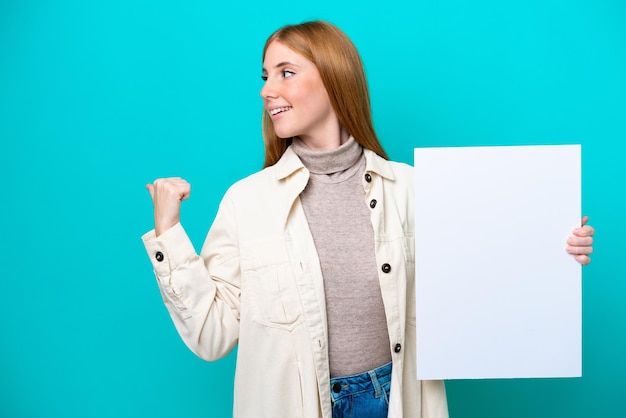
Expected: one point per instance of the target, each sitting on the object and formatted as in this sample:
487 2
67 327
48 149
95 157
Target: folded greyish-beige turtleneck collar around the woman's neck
328 161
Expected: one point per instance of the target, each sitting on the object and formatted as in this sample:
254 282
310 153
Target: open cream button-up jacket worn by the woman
258 283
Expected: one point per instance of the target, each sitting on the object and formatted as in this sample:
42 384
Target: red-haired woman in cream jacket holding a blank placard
307 264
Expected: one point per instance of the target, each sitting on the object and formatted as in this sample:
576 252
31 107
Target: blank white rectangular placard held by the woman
497 296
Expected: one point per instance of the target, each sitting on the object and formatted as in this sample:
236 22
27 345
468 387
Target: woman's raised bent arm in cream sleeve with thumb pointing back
202 294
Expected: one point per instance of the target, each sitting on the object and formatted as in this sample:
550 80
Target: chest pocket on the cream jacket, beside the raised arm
269 291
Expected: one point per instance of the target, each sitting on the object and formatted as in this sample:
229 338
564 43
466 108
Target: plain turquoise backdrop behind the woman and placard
97 98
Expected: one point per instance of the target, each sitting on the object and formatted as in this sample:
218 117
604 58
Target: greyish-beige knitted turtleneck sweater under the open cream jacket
339 220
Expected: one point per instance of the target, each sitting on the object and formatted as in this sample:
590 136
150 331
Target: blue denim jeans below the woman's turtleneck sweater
364 395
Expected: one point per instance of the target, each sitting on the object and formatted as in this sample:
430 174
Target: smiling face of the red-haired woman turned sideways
296 99
